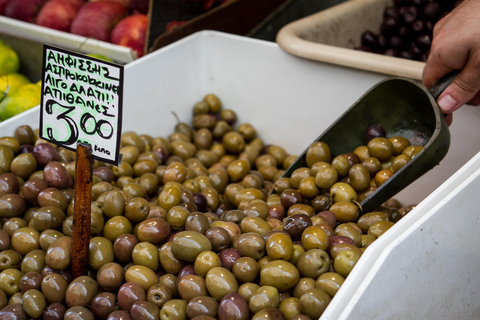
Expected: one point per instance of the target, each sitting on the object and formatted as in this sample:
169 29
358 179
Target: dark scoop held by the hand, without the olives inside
403 108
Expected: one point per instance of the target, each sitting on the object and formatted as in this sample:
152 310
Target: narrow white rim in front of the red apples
65 40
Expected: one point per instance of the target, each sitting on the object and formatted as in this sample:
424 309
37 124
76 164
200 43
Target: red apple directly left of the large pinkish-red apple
57 14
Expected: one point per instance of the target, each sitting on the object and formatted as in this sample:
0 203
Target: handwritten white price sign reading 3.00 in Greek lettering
81 102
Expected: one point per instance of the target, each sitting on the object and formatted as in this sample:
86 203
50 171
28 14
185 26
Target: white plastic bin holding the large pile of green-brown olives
291 101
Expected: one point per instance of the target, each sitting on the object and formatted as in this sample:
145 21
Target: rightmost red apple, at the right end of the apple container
131 32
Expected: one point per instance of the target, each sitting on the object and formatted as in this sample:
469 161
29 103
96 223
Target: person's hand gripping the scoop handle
456 46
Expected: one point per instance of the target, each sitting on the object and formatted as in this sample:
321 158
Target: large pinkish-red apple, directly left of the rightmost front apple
97 19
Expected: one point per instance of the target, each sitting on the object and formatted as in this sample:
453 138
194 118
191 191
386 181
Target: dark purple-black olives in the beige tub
407 28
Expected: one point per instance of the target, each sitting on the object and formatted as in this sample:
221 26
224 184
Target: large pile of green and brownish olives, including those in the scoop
187 226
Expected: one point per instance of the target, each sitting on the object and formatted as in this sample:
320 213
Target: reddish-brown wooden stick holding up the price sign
82 209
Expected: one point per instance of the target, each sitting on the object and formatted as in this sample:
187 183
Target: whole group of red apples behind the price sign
121 22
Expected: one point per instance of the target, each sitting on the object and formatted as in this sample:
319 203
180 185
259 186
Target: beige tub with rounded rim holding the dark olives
332 34
